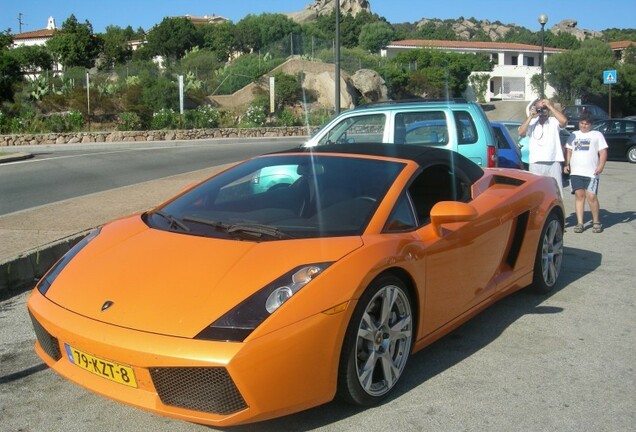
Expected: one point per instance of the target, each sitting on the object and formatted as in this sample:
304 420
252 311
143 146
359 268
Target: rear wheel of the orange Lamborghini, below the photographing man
547 264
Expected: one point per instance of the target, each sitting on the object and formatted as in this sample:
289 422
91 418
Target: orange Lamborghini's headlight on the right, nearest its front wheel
239 322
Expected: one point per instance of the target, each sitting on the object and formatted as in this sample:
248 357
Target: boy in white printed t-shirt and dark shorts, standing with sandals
584 161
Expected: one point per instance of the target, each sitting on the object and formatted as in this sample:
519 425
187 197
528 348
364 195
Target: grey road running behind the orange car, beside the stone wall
63 172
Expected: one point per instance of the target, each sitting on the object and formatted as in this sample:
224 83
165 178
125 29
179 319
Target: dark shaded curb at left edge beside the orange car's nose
24 271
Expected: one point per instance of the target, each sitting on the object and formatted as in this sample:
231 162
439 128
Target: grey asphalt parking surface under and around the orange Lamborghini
562 362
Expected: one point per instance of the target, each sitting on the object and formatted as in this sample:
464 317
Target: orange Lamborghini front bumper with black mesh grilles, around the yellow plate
215 383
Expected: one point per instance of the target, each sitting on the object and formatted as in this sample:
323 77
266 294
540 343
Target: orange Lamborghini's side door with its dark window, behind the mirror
461 265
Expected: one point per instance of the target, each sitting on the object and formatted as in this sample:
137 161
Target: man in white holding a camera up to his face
545 152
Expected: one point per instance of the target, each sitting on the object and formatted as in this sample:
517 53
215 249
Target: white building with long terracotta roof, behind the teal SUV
514 64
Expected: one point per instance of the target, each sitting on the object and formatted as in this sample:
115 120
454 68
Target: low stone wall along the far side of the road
155 135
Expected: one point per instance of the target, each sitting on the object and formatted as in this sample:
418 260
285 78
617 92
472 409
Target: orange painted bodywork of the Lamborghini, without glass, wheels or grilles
303 371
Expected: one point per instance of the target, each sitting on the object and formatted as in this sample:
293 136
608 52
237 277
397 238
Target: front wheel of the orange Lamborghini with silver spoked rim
377 343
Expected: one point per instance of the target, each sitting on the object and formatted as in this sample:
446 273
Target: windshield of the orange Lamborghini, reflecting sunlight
282 197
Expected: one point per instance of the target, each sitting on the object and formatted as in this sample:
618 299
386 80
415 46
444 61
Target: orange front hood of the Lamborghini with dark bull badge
176 284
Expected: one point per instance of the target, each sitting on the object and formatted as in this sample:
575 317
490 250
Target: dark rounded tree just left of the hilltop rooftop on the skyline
173 37
